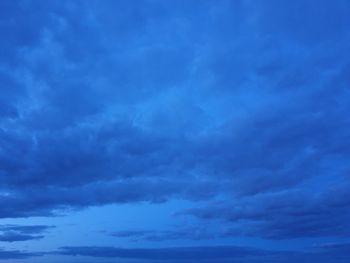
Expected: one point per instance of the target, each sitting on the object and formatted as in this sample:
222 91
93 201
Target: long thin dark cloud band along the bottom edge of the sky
334 253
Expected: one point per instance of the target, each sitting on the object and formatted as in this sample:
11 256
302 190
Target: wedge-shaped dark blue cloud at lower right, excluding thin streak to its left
285 215
